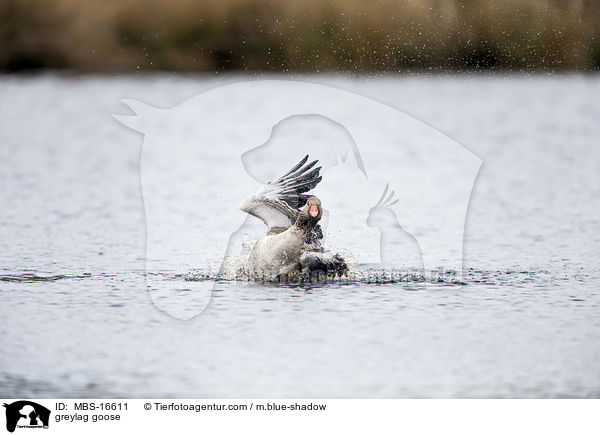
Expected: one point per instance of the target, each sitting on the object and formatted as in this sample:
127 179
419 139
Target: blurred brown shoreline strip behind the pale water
309 36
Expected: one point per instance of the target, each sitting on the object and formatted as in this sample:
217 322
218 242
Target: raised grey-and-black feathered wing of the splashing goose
277 203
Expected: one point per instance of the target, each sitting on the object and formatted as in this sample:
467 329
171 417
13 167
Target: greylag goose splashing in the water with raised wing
291 249
